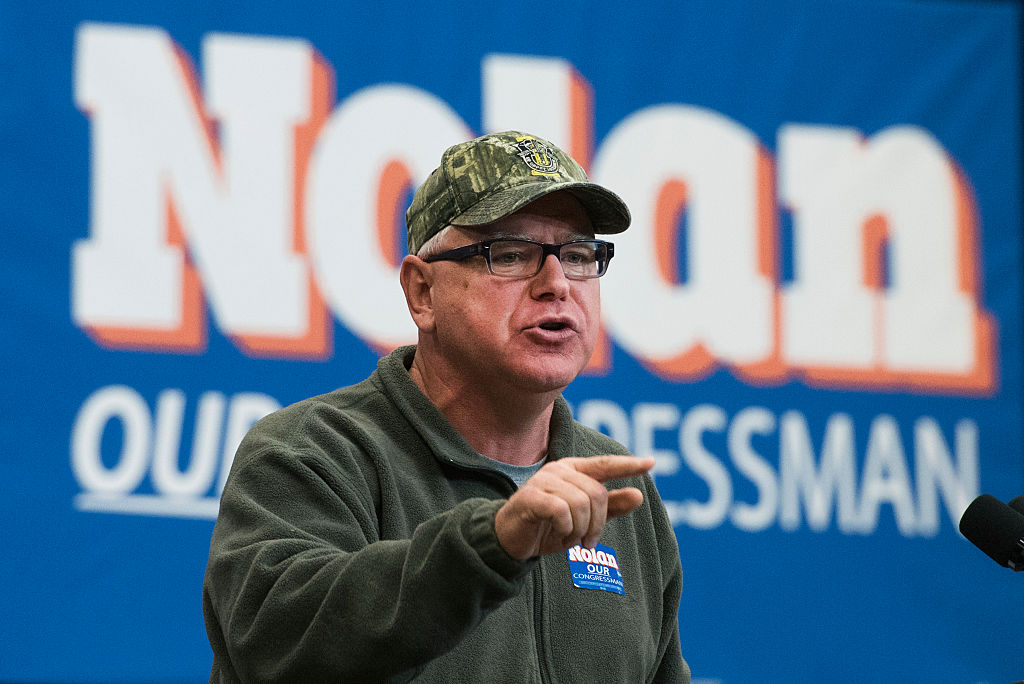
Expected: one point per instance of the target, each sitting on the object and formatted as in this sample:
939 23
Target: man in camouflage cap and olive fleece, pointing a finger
447 520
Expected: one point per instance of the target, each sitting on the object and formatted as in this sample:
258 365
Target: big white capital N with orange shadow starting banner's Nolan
160 181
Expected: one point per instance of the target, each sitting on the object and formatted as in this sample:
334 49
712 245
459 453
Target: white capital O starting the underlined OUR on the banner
127 407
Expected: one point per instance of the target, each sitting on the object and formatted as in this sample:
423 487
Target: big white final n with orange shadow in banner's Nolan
851 201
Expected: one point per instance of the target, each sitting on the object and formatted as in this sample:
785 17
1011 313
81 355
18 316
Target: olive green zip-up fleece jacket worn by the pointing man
356 543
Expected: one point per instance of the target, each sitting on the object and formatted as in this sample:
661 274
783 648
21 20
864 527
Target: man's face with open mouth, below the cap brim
533 334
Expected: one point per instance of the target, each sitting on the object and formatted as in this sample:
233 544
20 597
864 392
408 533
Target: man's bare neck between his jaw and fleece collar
503 425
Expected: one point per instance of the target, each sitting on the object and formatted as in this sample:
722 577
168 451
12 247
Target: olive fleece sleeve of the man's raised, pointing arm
300 588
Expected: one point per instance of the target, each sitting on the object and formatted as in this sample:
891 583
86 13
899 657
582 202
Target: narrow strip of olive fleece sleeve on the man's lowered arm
672 668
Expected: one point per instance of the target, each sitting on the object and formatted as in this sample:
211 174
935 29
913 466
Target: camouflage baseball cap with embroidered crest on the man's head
492 177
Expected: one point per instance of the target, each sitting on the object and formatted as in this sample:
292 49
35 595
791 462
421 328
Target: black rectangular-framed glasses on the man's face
524 259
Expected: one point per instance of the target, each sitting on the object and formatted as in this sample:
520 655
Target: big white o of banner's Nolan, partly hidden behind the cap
378 144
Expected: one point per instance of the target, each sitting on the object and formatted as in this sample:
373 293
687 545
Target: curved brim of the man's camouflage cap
609 215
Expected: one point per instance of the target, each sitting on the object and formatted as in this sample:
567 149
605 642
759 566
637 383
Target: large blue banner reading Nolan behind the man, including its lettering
814 325
